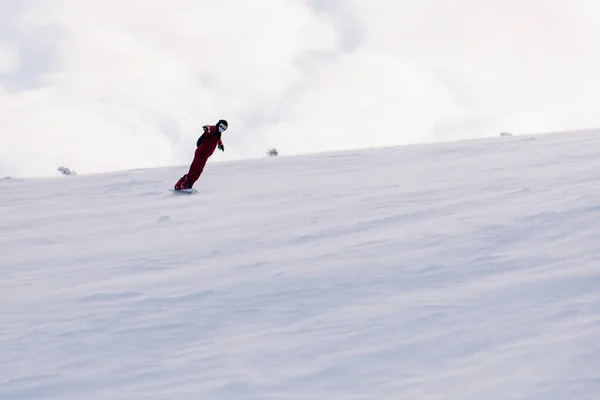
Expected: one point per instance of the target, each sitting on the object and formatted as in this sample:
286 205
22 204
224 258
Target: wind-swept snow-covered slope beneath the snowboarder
467 270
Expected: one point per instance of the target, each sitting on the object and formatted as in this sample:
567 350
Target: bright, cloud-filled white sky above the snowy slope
104 85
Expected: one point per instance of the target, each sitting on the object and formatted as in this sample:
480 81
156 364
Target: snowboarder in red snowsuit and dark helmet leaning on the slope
205 147
